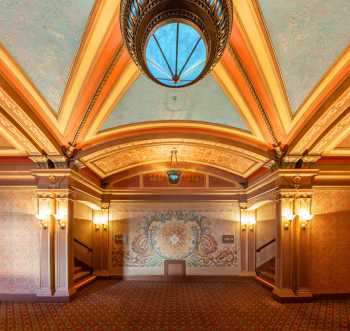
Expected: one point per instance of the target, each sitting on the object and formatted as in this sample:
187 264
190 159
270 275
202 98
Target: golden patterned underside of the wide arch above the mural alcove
120 156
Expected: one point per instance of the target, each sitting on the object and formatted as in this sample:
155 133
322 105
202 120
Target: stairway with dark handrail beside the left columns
83 272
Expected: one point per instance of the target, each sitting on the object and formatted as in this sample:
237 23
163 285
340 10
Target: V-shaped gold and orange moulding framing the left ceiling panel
97 47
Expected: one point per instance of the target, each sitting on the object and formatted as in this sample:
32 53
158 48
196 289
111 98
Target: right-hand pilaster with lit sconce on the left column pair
64 244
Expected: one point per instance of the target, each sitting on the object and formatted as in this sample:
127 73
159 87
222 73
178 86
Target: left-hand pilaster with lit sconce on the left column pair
45 210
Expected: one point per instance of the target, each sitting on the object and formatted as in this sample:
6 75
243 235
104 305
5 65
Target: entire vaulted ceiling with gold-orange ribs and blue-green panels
67 80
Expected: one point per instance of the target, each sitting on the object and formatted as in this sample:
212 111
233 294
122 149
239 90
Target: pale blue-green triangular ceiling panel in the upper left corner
43 36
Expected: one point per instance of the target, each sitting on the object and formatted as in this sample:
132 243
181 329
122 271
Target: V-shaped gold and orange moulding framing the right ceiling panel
250 17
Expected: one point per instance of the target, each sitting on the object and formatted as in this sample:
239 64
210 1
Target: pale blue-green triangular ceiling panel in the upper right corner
308 37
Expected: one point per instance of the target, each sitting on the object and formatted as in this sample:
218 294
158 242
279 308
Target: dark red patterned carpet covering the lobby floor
238 305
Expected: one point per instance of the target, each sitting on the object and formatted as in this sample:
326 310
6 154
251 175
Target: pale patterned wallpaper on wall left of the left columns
19 244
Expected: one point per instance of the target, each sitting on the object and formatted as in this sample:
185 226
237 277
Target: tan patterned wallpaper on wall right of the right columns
330 245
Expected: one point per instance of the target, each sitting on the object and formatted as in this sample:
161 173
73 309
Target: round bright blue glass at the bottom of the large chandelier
176 54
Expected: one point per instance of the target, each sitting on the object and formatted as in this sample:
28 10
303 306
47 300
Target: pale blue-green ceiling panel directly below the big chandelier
146 101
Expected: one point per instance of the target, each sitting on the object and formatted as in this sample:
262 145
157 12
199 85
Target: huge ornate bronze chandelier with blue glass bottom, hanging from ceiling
176 42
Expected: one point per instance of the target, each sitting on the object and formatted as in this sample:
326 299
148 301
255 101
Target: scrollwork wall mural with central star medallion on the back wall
173 234
